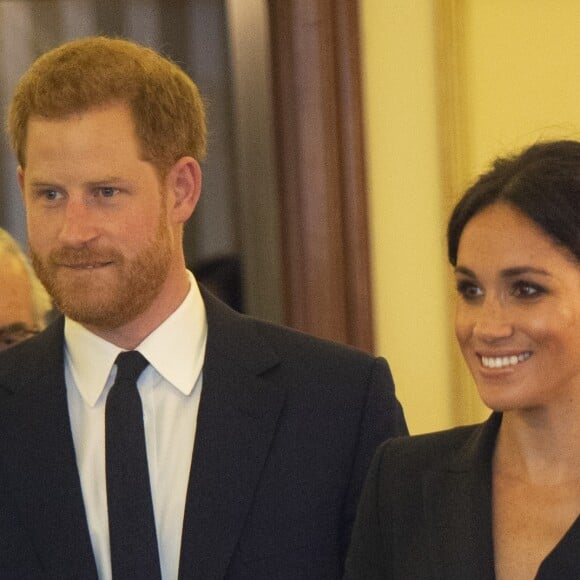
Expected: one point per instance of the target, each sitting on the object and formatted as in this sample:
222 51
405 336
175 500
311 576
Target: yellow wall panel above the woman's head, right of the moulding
523 75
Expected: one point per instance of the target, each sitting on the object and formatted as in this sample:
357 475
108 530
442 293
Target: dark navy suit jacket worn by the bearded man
287 427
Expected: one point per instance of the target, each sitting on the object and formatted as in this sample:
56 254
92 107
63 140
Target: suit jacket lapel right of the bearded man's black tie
237 419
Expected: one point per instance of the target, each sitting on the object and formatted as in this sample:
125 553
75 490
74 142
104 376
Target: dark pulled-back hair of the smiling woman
542 182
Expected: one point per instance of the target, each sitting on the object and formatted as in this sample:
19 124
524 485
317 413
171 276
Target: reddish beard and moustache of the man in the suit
106 302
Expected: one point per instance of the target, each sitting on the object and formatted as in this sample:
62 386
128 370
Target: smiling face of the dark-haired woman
518 312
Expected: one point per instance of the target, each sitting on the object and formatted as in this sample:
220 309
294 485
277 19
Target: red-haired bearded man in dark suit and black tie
257 438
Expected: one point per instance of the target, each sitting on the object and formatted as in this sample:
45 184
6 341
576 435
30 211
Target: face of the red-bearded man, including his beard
99 233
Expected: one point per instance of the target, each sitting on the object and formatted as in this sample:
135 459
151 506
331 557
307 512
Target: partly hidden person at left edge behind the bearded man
24 303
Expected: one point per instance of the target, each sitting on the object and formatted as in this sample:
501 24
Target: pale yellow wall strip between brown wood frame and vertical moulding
406 216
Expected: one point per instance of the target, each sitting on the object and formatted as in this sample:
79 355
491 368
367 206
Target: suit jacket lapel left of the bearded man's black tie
37 446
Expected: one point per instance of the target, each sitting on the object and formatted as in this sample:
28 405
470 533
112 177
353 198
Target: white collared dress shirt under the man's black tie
170 389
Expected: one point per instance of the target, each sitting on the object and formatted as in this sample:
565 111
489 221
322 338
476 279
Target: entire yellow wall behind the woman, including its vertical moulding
517 81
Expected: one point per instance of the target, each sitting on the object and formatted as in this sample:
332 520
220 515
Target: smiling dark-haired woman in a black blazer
500 499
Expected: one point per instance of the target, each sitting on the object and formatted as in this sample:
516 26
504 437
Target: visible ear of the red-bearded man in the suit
184 188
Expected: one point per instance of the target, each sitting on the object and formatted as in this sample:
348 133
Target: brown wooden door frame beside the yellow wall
316 75
